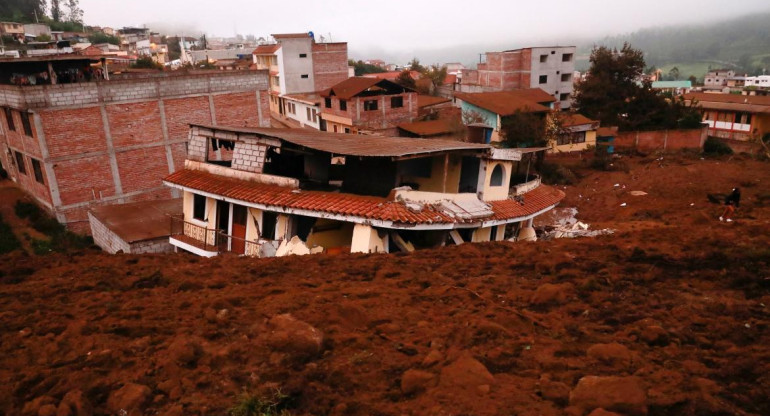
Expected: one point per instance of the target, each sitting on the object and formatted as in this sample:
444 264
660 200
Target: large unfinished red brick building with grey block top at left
77 145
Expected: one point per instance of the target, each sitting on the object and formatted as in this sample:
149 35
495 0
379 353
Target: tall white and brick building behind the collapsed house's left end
297 64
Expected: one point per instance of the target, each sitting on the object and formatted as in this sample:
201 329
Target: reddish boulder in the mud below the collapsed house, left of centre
289 334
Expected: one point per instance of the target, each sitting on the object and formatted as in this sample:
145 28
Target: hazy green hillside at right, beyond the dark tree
742 43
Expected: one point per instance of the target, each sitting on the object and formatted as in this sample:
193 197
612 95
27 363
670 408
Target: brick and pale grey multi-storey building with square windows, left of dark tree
548 68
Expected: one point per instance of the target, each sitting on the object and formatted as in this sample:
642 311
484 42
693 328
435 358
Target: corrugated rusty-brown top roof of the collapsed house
356 144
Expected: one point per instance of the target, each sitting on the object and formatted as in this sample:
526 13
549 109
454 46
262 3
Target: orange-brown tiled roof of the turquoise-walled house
506 103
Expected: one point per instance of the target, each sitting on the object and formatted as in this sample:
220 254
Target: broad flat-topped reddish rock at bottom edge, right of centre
625 395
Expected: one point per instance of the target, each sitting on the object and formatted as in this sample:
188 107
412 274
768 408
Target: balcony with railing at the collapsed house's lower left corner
211 240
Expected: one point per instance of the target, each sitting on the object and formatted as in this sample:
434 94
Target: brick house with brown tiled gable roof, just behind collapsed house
361 104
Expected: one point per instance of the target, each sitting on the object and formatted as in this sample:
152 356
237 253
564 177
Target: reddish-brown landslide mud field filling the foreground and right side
668 316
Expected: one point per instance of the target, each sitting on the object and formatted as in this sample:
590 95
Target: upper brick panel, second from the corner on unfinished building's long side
135 124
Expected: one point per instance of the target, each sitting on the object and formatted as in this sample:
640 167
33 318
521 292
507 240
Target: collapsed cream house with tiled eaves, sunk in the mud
262 191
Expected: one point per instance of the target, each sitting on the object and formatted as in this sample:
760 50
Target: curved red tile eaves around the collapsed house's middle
368 207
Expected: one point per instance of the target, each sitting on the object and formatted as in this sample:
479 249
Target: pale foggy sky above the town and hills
401 28
